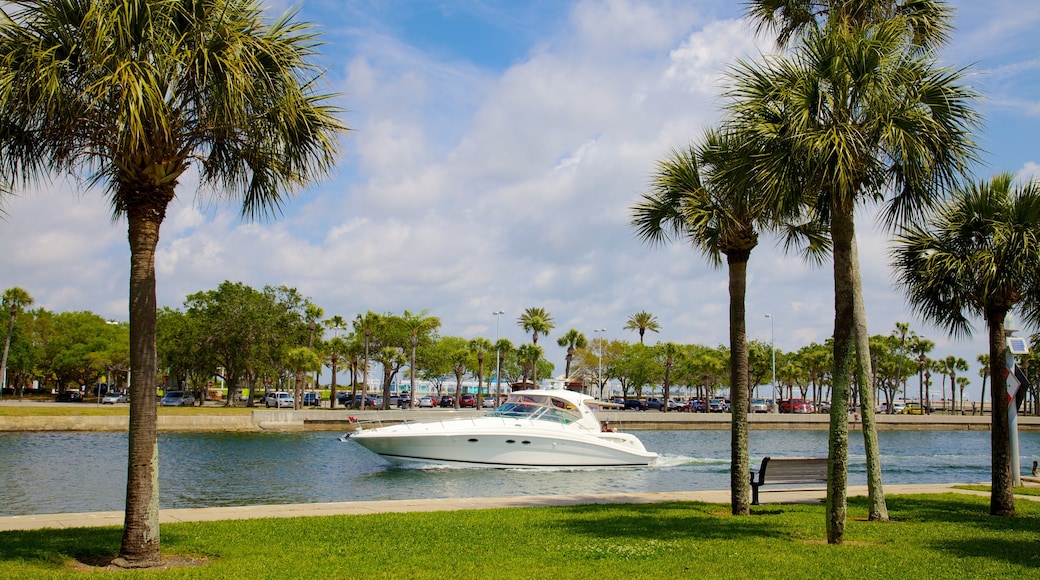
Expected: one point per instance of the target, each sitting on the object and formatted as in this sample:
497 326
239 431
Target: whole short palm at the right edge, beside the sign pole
978 257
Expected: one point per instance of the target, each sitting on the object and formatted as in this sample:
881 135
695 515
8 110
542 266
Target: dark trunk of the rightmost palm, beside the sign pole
1002 500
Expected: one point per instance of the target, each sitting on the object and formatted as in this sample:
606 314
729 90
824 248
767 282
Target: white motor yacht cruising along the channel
536 429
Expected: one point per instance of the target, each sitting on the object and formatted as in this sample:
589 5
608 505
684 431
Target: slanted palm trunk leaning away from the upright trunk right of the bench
876 490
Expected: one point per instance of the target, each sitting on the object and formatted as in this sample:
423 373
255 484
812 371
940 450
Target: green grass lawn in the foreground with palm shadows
931 537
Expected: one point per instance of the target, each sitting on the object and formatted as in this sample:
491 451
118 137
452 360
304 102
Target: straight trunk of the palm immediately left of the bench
739 473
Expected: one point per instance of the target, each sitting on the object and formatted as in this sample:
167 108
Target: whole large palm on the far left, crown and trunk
129 94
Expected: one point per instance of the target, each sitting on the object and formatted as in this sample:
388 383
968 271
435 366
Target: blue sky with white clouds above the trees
497 148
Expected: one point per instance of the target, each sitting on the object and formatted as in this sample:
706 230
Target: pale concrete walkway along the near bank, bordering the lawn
782 495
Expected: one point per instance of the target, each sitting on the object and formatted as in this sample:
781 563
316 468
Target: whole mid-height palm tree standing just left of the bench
699 198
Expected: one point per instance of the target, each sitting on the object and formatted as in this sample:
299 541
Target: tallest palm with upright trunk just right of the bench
857 113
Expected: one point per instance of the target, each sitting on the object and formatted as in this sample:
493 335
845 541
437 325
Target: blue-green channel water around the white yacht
64 472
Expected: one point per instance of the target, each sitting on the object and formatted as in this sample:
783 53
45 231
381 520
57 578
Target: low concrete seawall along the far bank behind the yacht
285 420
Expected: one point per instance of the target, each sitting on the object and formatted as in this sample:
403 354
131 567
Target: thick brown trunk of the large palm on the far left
141 534
